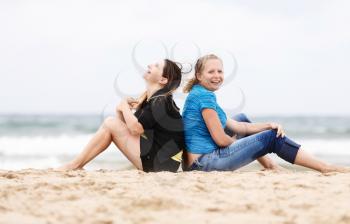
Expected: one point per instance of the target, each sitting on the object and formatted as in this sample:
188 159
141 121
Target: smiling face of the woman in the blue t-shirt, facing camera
212 75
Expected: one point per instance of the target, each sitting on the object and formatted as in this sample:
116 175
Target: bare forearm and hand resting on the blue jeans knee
245 128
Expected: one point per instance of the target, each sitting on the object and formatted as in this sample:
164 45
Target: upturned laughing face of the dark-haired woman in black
154 74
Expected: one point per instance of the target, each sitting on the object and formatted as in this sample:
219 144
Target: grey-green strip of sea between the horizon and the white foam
75 125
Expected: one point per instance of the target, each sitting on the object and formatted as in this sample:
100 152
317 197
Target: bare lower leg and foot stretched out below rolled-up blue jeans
305 159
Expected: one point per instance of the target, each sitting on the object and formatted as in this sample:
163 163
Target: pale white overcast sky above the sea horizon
64 56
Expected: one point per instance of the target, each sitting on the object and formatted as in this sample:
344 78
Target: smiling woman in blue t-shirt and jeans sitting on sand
206 127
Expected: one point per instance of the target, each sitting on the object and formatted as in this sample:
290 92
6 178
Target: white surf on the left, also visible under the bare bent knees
19 152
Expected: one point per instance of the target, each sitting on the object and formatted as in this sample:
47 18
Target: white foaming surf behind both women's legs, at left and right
19 152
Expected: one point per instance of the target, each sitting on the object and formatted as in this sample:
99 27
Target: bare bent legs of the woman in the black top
112 129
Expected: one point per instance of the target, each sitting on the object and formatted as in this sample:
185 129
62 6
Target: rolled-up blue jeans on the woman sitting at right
246 149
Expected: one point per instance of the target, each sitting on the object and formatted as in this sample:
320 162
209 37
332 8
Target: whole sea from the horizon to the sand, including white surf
48 141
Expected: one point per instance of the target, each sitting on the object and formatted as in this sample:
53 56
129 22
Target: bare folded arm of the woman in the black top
133 125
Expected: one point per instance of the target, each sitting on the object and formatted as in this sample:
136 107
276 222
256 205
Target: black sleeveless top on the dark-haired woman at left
163 136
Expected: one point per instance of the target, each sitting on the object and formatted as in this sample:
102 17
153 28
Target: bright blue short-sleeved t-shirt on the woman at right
197 136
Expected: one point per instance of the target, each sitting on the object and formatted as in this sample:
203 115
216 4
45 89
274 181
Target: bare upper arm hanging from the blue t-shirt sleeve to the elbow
216 131
